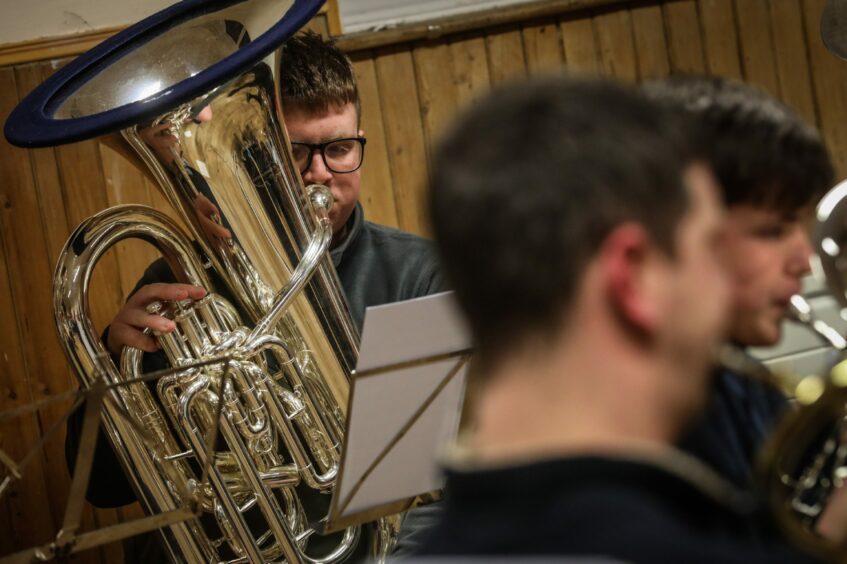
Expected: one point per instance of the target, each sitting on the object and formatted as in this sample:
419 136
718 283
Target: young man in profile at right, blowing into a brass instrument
772 168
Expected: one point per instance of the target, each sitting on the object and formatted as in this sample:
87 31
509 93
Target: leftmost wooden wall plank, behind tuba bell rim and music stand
26 502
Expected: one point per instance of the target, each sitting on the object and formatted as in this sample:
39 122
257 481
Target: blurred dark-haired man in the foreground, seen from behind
579 227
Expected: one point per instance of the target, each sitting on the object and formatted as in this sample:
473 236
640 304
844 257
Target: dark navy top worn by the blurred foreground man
632 510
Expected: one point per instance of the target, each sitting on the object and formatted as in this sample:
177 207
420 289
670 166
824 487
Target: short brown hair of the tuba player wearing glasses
315 74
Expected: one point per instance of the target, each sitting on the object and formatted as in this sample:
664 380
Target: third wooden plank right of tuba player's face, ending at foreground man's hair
436 90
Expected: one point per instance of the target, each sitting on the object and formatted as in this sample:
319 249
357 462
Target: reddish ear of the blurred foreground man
630 260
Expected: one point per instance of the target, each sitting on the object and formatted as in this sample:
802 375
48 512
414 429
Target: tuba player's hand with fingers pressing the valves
130 322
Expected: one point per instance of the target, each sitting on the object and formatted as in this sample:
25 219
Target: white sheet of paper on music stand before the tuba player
381 404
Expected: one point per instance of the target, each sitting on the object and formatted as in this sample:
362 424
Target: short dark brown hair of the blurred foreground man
530 182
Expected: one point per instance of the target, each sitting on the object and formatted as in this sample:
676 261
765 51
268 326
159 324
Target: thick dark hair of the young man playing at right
763 153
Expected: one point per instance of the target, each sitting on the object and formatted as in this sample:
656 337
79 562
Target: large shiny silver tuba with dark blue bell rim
246 426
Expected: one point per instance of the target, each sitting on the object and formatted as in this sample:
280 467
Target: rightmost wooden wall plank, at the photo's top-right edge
829 75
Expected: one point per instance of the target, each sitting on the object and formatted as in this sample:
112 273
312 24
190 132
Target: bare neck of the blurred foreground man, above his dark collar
590 392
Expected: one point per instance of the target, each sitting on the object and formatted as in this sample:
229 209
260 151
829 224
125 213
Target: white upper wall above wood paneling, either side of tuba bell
22 20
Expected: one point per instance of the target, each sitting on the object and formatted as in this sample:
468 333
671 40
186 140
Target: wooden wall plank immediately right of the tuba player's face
377 195
